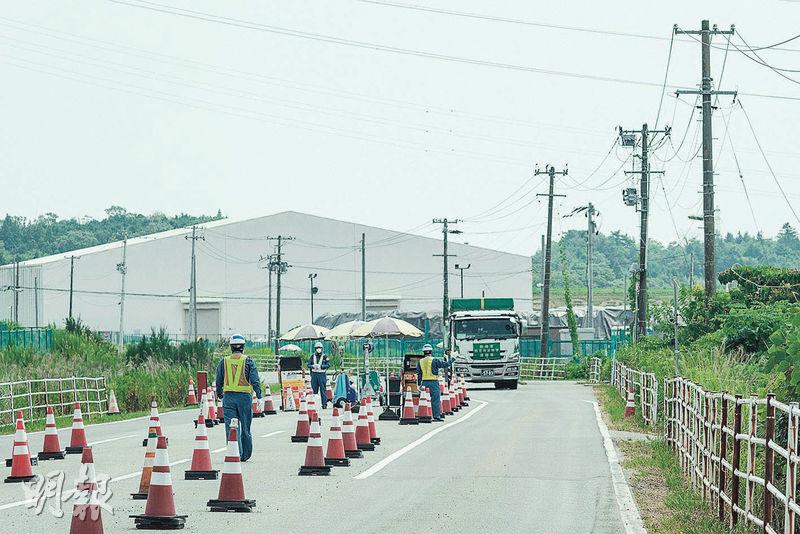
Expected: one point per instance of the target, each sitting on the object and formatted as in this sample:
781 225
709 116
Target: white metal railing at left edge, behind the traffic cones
33 397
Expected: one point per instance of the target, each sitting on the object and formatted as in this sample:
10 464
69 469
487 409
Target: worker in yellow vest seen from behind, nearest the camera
237 378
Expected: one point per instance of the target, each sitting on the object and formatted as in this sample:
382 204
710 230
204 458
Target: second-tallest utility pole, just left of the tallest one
644 214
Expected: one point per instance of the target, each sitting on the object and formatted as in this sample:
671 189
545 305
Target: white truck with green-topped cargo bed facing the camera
485 342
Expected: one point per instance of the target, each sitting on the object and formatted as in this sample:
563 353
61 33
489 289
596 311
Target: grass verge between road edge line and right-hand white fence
667 504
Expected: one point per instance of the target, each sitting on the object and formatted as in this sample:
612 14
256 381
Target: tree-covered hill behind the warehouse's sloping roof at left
23 239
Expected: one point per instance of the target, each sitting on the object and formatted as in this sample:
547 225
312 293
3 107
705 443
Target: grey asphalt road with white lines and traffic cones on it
530 460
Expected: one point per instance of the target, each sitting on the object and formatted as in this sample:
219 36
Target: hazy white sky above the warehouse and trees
107 103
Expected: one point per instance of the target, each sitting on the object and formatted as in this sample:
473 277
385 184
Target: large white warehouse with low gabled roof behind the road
402 274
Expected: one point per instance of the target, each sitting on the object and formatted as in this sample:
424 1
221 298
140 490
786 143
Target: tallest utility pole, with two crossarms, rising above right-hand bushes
709 232
